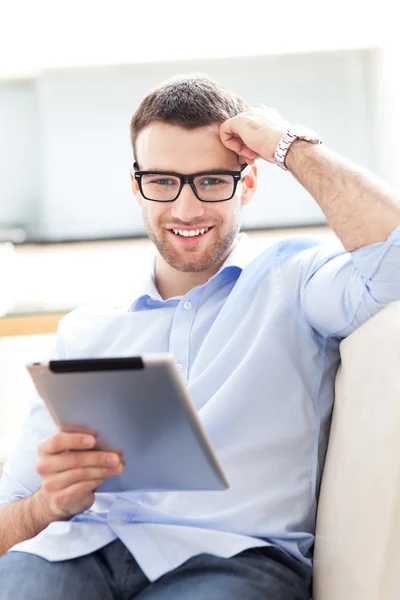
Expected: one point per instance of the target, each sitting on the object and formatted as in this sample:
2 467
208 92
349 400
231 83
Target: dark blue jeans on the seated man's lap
113 574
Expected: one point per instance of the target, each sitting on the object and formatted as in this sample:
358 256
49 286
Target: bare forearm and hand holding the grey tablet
70 470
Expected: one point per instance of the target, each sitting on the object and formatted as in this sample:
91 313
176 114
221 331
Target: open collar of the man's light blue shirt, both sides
240 256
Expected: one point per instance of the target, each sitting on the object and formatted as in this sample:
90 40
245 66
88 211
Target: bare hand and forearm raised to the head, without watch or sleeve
361 208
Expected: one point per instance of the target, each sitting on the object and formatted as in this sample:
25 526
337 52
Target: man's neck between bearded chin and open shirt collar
170 282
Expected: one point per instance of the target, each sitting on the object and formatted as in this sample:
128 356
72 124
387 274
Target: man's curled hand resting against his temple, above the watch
254 133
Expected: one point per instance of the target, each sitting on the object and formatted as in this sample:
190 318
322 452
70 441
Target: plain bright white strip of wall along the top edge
87 33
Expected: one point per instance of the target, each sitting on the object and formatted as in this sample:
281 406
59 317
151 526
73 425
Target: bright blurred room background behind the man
71 76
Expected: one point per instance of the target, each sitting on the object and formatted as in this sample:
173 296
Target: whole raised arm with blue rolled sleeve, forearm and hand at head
335 291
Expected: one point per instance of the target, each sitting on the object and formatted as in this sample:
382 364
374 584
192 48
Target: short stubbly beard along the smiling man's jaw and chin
212 255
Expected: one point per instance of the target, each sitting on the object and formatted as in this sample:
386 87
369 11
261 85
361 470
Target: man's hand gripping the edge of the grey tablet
70 478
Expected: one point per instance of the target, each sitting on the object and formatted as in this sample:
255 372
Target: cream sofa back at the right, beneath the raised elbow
357 550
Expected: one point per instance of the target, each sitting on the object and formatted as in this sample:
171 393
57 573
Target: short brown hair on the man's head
189 101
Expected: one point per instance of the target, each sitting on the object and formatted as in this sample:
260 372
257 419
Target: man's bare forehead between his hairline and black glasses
165 146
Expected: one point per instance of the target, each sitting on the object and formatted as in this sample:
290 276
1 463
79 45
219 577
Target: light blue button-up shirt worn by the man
258 349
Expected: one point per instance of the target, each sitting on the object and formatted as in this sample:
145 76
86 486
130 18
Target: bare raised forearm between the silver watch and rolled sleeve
361 208
